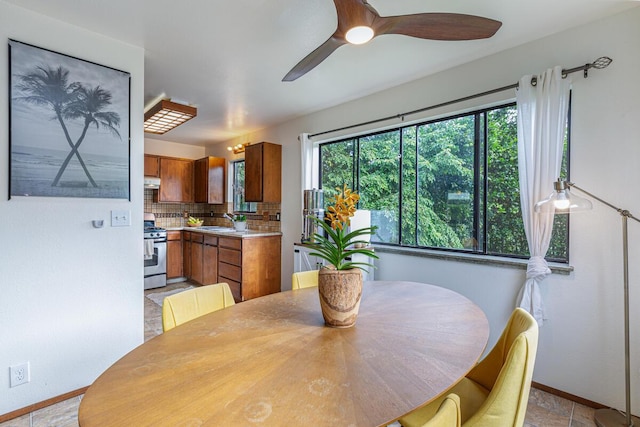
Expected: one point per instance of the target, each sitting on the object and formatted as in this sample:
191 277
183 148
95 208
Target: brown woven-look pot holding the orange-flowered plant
340 292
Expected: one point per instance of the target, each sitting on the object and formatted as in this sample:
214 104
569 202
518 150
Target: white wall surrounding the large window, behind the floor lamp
581 345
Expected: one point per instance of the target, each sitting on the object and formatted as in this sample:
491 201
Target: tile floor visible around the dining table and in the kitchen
544 409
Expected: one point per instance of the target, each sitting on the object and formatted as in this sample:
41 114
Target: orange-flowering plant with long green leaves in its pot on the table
340 282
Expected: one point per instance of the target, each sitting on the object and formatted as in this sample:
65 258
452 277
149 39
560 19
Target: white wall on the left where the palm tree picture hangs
71 296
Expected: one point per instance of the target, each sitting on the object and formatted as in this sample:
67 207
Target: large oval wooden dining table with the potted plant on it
271 361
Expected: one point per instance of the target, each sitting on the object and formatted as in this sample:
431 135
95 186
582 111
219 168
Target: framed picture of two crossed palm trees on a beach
69 126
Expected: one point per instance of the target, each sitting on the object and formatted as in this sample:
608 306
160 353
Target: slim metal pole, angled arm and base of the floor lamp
611 417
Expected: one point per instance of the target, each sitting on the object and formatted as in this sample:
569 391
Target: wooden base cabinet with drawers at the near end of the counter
251 266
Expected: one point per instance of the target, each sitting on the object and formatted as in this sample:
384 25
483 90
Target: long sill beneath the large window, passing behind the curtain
521 264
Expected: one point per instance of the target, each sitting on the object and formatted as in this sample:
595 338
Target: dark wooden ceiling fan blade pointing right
438 26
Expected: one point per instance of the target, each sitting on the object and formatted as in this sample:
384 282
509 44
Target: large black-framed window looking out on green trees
449 184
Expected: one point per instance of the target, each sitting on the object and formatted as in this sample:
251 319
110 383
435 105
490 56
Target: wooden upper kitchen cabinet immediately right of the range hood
176 180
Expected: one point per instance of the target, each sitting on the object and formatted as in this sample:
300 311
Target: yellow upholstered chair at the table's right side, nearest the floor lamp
495 392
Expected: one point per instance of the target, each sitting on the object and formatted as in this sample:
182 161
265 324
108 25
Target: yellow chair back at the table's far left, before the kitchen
187 305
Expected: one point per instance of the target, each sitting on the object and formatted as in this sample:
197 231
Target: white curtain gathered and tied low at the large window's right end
542 118
